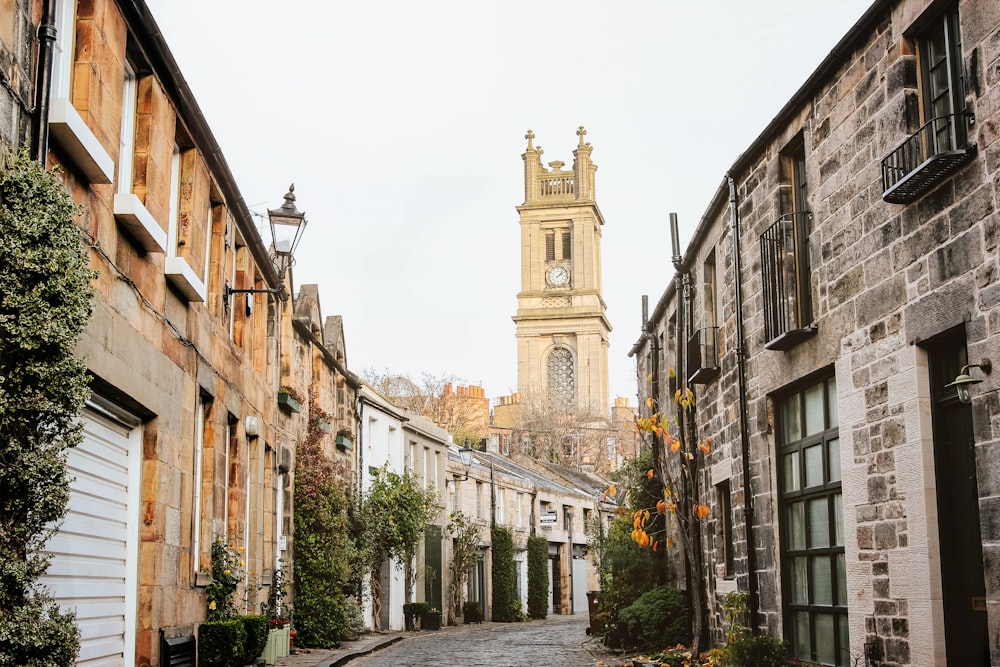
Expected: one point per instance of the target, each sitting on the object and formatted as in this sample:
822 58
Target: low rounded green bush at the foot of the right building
658 618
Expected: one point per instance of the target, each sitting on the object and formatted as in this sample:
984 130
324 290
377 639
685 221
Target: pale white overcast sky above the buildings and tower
402 124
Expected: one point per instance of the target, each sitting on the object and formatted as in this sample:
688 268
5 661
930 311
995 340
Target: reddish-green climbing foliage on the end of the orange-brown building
324 549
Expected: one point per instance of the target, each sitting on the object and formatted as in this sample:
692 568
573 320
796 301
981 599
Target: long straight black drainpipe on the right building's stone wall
744 412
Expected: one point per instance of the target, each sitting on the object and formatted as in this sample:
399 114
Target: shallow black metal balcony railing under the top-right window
935 151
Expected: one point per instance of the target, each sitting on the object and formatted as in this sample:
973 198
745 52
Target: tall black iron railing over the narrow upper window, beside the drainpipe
784 261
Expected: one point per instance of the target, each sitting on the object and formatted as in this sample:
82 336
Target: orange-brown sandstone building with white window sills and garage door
187 437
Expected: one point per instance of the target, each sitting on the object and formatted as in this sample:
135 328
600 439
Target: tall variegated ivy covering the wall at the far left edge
45 302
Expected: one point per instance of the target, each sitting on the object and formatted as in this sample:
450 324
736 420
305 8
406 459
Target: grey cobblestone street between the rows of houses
558 640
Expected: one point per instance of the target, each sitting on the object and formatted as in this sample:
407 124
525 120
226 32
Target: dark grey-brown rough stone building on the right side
844 274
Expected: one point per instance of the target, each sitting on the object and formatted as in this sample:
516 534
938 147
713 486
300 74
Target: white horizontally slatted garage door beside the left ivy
93 569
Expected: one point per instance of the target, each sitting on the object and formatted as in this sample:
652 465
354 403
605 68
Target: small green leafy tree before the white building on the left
391 520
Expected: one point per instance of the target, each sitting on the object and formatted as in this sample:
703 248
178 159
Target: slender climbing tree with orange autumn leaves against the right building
677 460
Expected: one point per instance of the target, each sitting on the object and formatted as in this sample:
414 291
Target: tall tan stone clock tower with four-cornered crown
562 328
